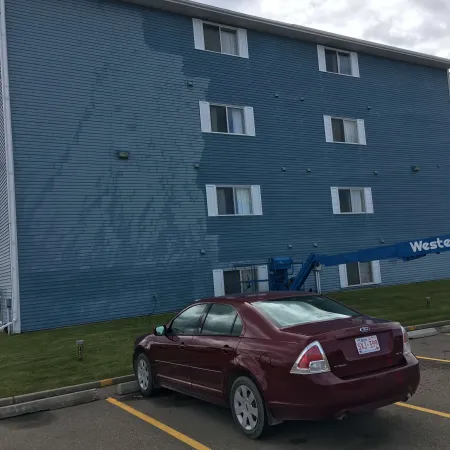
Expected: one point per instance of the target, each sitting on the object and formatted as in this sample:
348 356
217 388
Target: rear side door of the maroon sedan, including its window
213 350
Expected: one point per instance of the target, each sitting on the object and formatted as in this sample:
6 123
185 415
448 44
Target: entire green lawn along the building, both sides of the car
48 359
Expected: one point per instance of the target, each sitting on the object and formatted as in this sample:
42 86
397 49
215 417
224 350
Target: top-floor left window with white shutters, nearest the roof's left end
220 38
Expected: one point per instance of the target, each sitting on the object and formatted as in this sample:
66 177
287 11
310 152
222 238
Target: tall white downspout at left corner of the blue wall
12 217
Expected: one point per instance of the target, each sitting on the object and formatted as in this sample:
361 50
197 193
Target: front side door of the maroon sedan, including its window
170 353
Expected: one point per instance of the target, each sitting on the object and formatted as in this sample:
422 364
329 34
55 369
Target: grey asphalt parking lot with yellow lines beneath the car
173 421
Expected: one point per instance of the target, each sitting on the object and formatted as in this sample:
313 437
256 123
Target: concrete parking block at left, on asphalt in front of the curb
46 404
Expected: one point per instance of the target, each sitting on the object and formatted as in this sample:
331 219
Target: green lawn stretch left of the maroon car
43 360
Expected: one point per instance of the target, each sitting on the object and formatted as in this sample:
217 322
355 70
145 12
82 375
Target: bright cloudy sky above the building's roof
420 25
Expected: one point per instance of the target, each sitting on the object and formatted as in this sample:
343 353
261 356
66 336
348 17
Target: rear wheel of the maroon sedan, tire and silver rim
248 408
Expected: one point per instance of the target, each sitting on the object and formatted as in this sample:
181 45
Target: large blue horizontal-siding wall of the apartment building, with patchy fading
100 238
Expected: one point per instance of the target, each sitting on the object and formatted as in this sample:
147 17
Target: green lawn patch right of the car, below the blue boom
404 303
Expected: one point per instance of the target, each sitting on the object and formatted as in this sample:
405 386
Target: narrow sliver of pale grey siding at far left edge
5 264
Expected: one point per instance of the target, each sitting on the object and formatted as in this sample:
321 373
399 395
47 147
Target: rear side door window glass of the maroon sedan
222 320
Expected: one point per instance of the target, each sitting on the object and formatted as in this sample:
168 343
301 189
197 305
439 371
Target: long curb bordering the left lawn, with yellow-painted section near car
18 399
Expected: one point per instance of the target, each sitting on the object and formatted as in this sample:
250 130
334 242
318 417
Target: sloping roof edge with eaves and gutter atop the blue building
232 18
